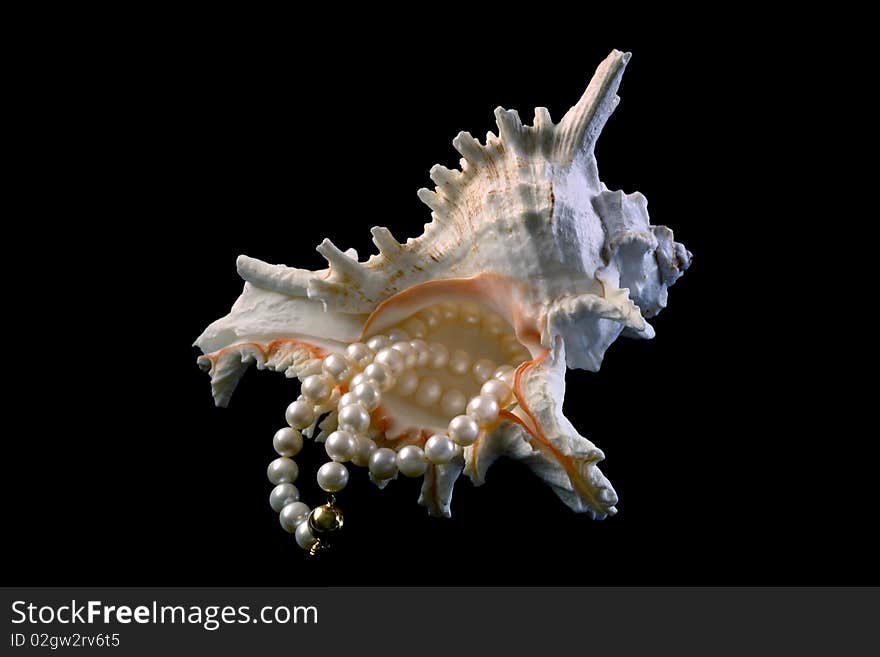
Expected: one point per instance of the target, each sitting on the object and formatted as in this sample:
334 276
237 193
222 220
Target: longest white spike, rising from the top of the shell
581 125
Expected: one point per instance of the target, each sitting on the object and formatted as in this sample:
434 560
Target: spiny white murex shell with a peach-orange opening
529 261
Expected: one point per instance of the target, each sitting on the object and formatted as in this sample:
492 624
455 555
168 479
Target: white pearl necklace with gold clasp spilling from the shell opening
367 371
